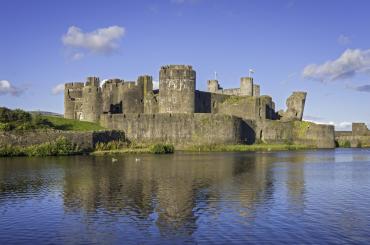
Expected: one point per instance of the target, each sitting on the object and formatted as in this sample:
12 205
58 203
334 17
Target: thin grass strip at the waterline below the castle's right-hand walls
243 148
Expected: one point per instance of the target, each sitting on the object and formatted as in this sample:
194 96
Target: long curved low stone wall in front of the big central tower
178 129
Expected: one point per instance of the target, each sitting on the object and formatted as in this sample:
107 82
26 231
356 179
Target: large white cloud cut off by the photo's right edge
351 62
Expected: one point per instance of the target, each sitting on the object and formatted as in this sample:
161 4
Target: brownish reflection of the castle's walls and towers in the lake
171 186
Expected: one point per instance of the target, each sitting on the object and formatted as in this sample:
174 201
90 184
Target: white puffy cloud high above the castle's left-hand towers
100 41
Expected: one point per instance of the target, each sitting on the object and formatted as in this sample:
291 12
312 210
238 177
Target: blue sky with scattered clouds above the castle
321 47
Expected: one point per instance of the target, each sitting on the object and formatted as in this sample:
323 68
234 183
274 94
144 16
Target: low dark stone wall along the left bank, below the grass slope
85 140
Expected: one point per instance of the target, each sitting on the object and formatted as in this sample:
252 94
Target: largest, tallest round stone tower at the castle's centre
177 89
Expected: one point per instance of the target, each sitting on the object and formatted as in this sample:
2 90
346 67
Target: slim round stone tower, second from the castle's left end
92 100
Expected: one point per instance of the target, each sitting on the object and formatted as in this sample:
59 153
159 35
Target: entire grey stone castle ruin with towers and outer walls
178 113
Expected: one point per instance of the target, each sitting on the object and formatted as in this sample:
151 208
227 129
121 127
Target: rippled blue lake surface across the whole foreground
277 197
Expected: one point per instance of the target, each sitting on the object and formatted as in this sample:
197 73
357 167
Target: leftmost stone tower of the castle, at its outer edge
72 99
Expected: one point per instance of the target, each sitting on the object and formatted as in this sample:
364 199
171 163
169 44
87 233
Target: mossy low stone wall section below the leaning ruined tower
296 132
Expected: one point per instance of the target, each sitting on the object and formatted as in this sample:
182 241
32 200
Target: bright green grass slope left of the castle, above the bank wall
71 125
